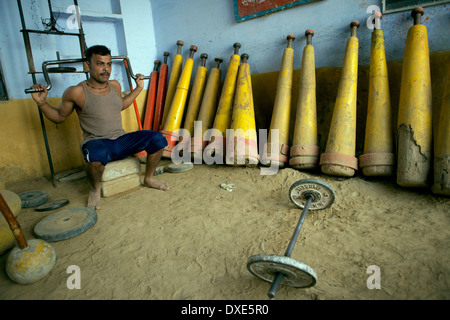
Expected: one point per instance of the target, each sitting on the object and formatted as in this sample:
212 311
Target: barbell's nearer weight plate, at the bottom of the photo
295 273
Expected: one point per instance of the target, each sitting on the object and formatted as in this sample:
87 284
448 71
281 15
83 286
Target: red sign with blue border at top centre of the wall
249 9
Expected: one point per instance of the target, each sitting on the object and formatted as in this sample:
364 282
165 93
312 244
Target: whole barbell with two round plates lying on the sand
307 194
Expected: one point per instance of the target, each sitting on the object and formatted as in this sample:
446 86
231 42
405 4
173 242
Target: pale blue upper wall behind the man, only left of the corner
125 26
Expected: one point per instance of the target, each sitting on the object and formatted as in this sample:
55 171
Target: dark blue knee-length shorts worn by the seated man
107 150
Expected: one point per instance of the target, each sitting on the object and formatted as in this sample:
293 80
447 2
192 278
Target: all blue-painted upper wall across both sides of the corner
144 29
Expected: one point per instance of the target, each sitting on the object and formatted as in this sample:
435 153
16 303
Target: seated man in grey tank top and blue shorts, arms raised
99 103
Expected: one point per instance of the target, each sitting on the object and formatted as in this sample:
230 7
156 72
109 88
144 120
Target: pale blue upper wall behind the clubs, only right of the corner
211 26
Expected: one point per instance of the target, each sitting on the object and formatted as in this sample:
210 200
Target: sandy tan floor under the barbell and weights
193 241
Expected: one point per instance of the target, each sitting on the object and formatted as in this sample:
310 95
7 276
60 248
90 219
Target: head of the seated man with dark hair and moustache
99 61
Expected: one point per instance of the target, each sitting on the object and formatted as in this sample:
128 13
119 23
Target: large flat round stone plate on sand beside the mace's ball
65 224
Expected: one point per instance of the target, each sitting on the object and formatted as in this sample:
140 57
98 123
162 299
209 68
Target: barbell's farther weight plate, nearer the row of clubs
323 194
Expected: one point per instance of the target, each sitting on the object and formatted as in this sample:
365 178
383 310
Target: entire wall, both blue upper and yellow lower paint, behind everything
144 29
